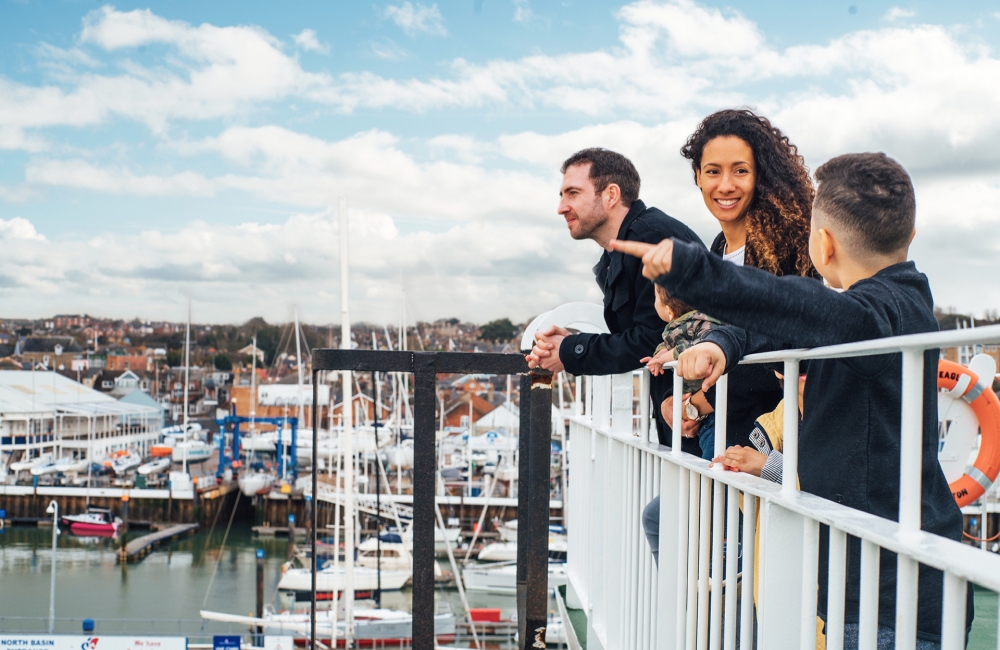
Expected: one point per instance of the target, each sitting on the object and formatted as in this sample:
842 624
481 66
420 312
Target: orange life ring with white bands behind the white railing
962 382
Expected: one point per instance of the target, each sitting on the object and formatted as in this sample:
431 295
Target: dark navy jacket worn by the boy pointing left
850 434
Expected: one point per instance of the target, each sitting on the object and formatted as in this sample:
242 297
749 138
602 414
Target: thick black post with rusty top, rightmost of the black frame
537 519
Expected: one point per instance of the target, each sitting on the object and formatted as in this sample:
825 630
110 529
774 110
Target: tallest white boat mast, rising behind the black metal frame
348 433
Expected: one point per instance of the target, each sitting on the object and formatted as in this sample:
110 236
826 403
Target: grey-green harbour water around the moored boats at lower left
162 594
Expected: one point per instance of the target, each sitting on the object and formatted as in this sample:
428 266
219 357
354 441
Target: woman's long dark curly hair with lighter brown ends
779 215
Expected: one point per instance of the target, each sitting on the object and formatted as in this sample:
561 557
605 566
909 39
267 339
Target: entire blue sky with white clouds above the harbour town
155 151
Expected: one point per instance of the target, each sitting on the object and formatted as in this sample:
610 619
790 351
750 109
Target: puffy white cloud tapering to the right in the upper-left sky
216 72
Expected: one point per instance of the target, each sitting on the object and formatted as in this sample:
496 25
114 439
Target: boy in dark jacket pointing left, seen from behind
862 225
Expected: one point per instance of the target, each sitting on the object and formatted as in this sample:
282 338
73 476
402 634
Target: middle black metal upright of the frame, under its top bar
424 498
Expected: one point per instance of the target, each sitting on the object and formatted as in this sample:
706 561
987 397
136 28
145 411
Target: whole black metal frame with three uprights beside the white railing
533 474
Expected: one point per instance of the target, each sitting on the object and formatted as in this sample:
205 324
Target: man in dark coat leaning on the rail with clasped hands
599 199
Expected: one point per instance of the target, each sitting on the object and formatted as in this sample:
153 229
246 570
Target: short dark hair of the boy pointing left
871 195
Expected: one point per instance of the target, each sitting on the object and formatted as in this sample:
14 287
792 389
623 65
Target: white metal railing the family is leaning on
618 468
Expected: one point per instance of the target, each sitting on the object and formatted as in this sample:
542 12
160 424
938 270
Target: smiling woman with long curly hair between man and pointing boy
755 183
